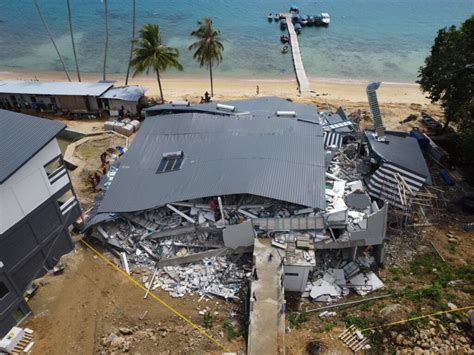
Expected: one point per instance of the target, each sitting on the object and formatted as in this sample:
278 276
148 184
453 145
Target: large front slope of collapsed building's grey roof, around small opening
276 158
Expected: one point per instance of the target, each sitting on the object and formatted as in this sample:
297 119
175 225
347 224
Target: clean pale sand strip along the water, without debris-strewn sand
192 87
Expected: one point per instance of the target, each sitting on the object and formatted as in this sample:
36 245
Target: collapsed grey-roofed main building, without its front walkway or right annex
202 181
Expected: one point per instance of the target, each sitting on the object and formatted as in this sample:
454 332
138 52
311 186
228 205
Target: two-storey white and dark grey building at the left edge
37 208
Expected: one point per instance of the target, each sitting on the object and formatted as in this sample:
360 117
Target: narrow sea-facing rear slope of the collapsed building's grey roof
262 106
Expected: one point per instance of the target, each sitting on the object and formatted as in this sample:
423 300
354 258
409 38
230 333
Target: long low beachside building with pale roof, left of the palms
70 97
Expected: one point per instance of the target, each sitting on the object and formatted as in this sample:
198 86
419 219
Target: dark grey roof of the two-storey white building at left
22 136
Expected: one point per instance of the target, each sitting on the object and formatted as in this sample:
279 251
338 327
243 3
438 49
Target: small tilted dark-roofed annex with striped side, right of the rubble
398 156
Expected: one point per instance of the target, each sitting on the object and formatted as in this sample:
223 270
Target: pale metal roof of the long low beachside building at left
25 87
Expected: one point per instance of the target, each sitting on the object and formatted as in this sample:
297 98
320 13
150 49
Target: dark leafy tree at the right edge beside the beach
448 73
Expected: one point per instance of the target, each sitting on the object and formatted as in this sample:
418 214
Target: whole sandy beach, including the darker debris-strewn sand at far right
398 100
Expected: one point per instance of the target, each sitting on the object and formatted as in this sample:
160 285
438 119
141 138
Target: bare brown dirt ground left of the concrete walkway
90 300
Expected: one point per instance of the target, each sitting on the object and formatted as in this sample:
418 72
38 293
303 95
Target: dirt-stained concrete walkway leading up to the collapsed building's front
267 301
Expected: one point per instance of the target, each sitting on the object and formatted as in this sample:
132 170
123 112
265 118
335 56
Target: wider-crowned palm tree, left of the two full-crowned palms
152 54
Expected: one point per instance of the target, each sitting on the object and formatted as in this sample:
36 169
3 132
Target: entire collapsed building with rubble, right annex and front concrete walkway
307 193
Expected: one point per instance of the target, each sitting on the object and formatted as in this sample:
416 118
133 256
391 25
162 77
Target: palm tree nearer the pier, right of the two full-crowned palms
208 46
